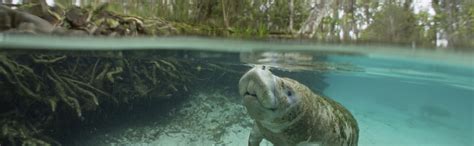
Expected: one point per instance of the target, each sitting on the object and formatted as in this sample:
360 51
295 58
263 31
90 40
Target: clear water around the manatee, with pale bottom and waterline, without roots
399 96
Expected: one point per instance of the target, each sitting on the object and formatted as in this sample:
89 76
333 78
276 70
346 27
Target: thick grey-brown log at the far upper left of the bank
22 21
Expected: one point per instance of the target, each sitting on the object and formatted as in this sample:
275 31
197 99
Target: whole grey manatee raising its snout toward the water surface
286 112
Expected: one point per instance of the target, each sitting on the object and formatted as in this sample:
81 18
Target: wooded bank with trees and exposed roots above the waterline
412 23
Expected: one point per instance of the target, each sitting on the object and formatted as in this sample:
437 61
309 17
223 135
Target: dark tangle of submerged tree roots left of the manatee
46 85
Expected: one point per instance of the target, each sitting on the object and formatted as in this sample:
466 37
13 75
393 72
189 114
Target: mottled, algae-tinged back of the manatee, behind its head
325 120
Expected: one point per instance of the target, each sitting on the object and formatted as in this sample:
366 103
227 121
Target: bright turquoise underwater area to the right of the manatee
392 100
